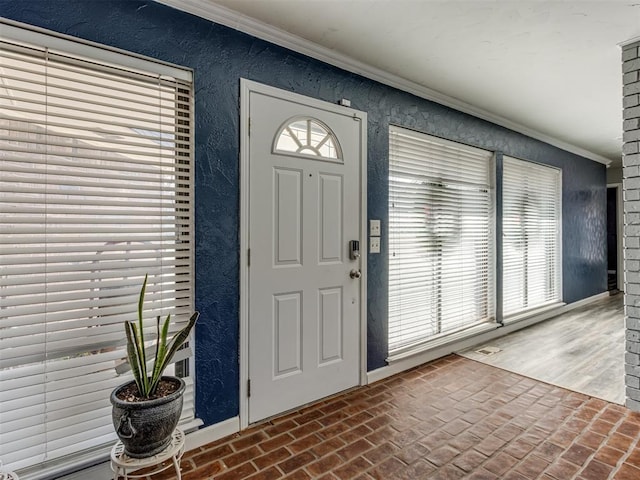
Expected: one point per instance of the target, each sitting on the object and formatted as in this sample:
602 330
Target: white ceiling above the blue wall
551 67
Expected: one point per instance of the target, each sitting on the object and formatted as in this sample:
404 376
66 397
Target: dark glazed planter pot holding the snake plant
145 428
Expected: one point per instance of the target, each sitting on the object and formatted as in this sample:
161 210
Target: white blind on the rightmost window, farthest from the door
531 235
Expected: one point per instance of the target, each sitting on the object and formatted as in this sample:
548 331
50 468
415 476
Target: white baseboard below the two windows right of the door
425 356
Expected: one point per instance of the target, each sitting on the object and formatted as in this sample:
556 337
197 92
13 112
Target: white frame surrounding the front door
247 86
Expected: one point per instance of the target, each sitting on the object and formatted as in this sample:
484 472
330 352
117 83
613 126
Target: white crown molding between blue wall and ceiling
218 14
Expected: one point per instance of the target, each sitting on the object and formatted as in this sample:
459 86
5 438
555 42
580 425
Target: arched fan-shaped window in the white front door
308 137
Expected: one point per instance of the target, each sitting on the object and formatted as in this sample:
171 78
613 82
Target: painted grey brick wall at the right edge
631 188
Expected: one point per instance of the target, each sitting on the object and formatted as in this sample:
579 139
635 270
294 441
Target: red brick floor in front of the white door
449 419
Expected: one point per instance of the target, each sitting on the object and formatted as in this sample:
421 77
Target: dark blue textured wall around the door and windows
220 56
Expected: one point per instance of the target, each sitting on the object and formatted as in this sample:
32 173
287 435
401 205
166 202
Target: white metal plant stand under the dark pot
121 463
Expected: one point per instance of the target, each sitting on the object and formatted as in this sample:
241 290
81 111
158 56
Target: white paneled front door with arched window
304 209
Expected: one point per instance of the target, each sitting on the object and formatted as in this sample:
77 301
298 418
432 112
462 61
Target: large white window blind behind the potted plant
95 192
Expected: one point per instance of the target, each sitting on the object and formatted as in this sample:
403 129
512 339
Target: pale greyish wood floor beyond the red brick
582 350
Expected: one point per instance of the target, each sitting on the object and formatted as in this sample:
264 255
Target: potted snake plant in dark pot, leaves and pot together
147 409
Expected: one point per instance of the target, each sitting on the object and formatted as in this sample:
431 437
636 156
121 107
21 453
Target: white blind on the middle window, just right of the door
440 238
